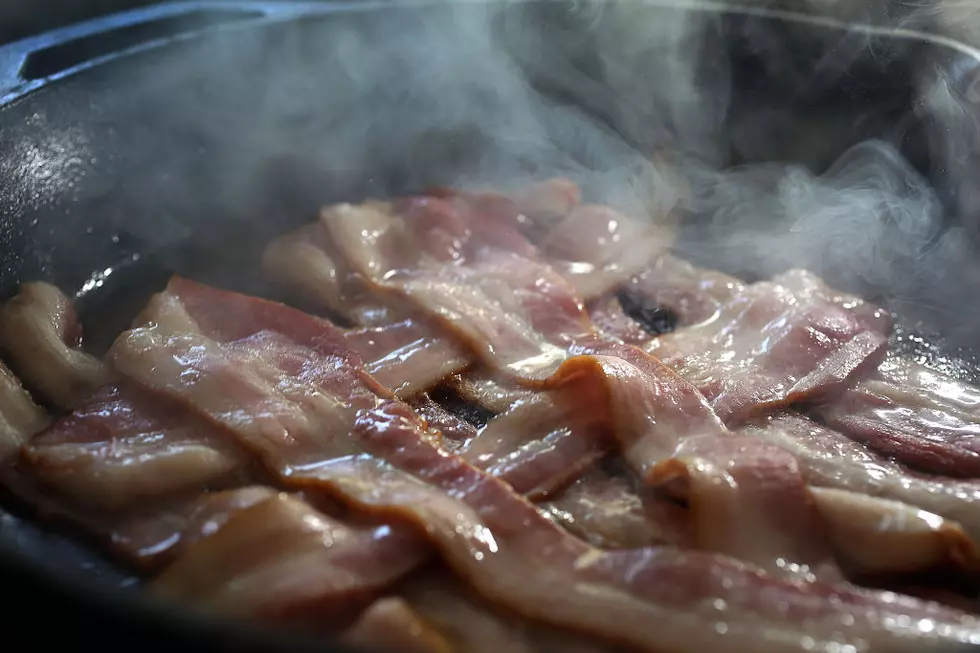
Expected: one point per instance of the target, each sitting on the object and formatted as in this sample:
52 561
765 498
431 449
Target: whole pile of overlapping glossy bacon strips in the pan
536 430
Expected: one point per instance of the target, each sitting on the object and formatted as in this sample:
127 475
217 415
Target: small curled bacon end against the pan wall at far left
39 336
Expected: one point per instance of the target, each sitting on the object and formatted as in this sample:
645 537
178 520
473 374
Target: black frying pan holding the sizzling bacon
181 137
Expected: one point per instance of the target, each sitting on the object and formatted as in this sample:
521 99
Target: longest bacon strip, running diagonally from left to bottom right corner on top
495 539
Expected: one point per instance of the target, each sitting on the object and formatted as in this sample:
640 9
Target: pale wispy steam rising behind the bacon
780 166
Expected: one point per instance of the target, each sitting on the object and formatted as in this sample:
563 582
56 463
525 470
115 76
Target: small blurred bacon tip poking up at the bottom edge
390 624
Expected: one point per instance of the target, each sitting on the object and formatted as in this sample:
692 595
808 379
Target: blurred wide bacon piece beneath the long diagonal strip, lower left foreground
281 559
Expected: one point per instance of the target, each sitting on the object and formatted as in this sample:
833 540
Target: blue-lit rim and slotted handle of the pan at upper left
30 63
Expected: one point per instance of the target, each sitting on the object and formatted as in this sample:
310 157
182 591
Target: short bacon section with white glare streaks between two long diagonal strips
405 357
